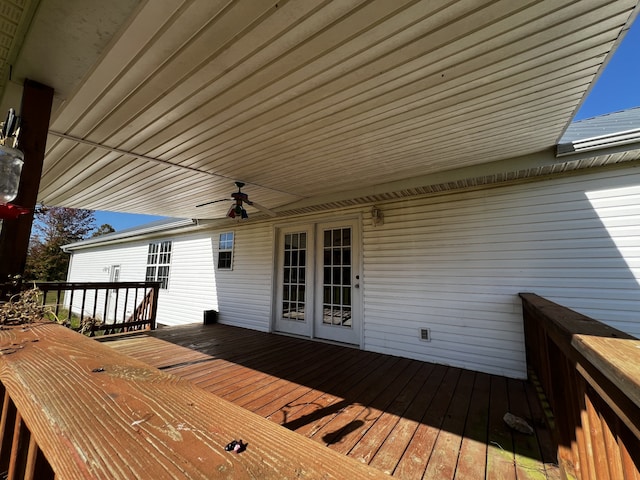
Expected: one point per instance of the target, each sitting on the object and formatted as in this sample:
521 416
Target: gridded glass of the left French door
293 291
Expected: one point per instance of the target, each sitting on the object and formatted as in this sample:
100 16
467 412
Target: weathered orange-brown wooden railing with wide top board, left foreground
76 409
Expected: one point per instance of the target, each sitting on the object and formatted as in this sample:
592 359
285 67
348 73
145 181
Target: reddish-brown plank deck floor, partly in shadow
408 418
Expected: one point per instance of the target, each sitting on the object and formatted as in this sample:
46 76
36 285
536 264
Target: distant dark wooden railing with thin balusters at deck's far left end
103 307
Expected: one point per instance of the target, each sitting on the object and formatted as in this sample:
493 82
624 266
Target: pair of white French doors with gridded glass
318 282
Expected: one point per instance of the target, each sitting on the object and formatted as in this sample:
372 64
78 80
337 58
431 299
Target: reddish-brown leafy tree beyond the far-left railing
53 228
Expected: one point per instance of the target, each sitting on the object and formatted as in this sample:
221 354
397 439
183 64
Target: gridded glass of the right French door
337 277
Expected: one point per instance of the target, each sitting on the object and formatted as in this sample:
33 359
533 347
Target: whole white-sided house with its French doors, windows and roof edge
433 275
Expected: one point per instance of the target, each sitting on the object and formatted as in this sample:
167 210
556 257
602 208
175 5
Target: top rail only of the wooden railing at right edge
613 352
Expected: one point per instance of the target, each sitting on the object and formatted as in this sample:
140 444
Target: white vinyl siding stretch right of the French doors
455 264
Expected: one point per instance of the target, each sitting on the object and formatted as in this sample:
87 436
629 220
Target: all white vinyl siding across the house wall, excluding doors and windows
452 263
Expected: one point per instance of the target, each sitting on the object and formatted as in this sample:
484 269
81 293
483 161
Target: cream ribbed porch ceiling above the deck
161 105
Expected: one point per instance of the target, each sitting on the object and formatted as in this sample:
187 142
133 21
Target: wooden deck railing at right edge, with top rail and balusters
590 373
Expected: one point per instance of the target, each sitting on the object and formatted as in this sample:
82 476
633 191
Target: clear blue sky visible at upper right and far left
618 88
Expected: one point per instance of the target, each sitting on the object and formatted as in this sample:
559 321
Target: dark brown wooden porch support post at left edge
34 125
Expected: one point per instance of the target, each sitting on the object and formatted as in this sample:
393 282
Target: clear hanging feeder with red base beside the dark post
11 161
